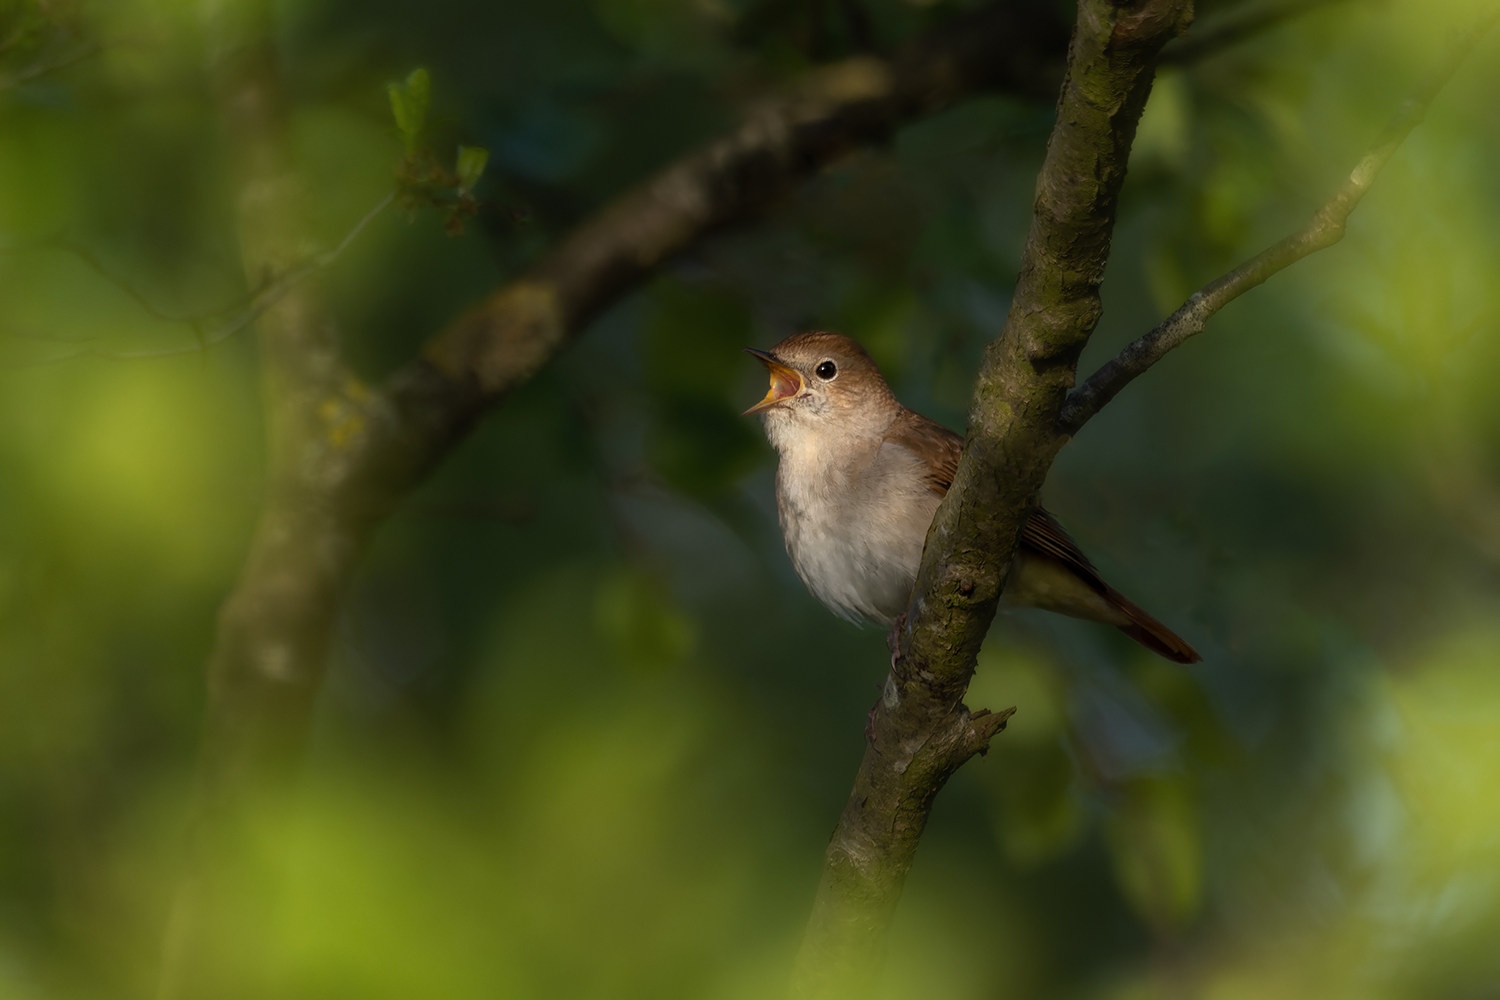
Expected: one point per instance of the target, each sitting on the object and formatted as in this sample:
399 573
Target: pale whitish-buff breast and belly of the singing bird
856 528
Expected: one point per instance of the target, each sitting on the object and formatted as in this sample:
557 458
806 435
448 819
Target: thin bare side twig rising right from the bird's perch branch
1322 232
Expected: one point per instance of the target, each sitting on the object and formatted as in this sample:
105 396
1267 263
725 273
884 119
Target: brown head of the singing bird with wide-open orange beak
821 382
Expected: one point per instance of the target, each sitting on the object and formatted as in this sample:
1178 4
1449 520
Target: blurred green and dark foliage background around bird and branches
586 734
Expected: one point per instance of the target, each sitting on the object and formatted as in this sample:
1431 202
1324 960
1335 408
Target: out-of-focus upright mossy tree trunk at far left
269 656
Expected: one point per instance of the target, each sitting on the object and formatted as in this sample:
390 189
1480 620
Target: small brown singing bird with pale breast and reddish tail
859 479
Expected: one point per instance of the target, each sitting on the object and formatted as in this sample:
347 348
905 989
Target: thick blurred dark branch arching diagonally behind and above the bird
500 344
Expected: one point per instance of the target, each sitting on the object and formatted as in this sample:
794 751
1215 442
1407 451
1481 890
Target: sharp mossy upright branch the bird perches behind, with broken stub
922 729
